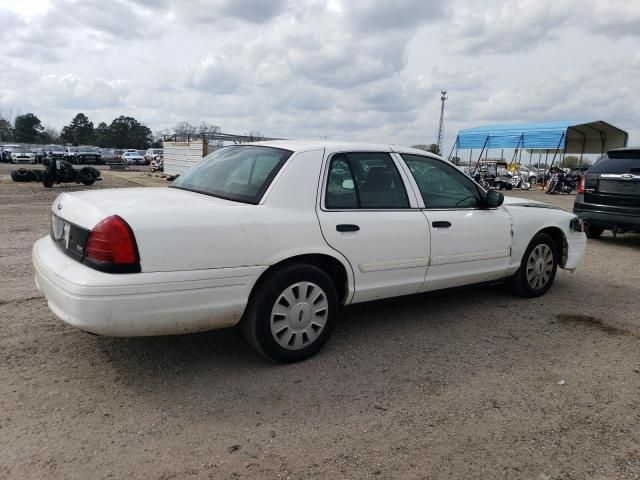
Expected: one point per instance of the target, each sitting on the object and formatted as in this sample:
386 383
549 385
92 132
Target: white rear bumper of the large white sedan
140 304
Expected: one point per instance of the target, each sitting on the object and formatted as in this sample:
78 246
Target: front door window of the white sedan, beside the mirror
442 185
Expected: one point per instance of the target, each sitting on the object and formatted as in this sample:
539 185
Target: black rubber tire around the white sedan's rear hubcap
256 322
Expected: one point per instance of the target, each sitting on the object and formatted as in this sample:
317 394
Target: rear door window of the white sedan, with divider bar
364 180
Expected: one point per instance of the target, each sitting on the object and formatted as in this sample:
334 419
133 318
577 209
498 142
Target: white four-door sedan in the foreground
277 235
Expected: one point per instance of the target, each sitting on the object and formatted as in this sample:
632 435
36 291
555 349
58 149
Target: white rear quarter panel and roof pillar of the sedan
282 226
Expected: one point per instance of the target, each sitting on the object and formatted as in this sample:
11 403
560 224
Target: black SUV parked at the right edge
609 193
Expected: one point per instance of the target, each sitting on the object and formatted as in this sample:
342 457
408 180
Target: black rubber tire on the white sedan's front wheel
520 283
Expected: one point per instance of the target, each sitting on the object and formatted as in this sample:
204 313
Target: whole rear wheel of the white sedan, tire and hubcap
292 313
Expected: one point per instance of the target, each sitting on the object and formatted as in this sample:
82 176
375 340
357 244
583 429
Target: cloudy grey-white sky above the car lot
342 69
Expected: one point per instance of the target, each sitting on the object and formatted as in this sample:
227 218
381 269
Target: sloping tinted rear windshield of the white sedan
240 173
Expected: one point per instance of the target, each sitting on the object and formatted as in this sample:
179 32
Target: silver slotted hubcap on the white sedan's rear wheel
299 315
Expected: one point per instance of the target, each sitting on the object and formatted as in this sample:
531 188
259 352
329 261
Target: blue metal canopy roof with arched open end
571 137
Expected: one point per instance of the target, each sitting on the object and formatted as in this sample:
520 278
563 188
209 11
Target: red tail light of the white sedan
112 241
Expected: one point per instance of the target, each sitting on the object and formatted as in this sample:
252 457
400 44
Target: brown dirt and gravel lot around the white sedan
470 383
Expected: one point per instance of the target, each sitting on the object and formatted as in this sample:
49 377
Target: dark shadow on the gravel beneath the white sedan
372 343
